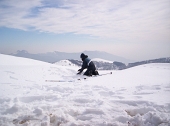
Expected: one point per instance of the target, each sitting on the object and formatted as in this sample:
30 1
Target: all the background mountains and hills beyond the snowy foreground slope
113 63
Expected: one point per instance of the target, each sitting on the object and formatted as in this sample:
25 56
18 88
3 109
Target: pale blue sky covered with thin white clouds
133 29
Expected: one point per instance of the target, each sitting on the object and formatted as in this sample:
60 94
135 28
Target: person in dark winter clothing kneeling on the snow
87 63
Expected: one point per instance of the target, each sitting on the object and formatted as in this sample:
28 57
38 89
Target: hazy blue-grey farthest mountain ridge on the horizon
53 57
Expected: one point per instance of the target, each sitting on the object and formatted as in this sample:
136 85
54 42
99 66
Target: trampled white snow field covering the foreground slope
137 96
